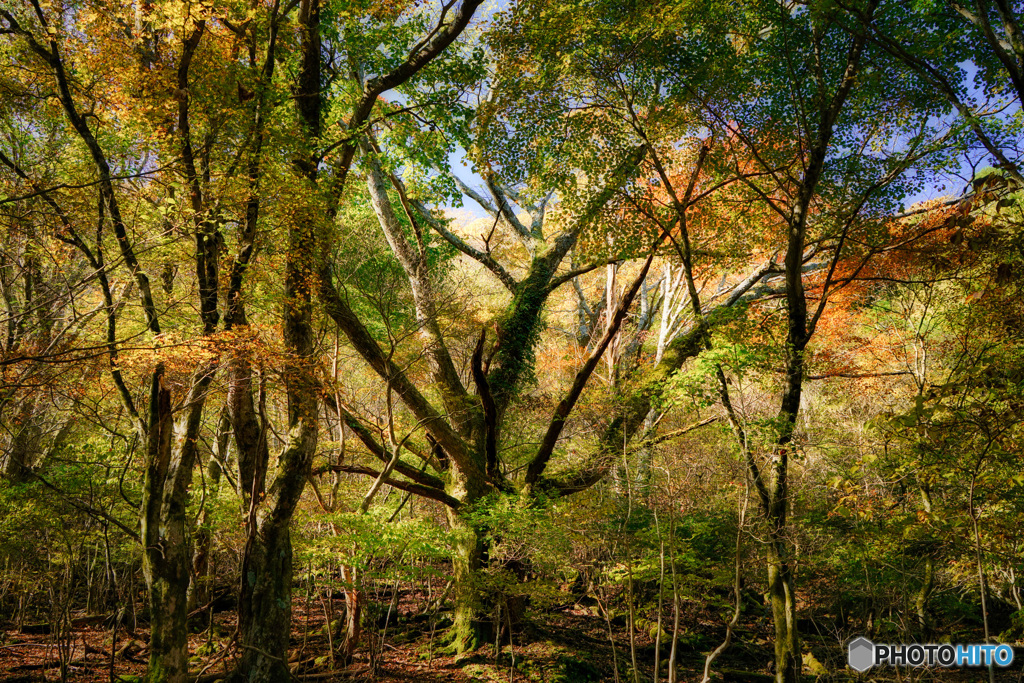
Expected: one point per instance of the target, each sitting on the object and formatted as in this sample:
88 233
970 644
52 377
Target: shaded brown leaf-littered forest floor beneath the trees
569 645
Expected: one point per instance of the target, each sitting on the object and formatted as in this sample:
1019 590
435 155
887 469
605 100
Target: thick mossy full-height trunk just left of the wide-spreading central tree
266 600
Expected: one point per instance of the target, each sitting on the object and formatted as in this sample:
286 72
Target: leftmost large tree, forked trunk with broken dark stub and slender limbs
169 461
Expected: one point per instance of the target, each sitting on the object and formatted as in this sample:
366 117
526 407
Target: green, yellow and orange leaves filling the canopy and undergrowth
581 105
